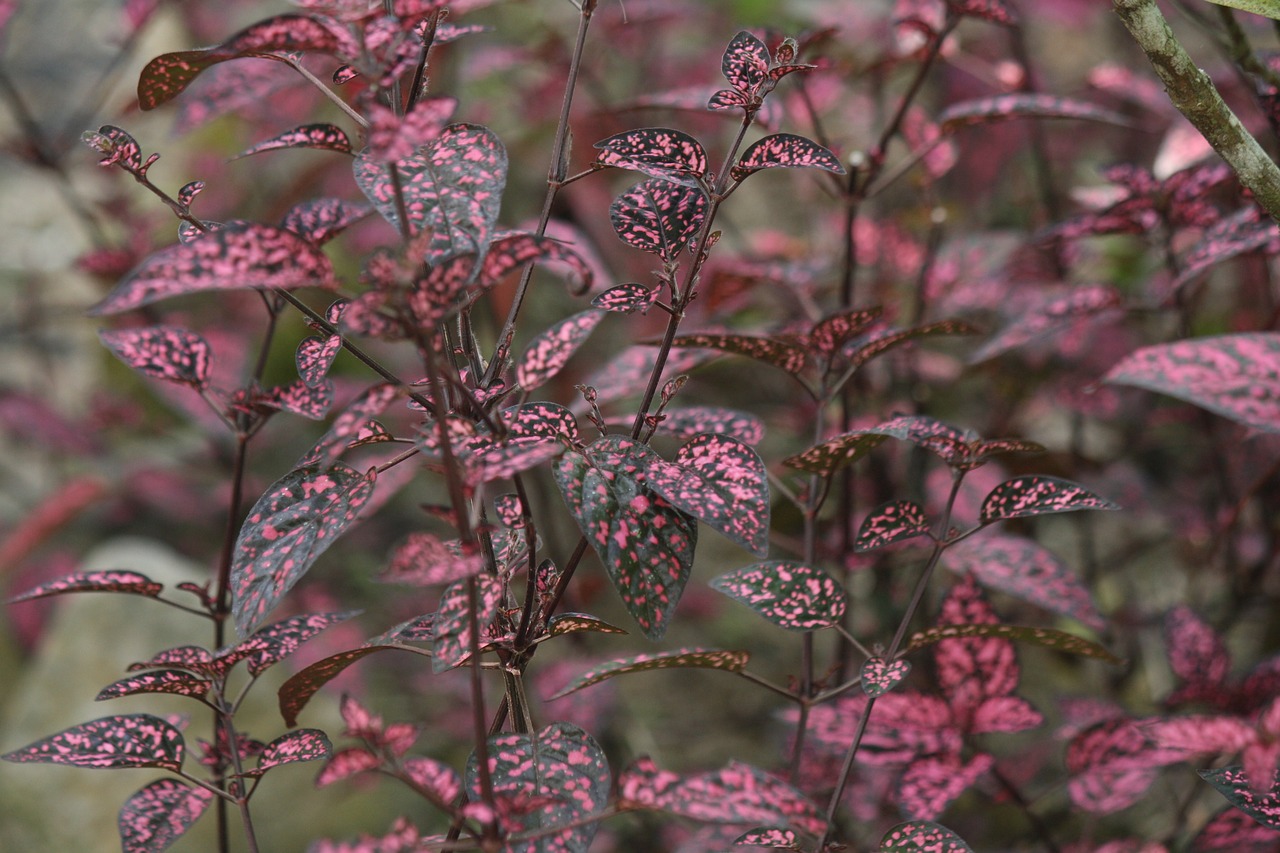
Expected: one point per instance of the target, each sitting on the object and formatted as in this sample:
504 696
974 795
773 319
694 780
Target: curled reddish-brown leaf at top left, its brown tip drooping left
170 75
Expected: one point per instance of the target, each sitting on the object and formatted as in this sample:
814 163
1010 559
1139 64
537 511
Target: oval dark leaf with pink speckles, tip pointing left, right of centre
789 595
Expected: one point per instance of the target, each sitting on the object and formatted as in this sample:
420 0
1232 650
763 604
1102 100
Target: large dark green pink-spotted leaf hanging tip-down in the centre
647 545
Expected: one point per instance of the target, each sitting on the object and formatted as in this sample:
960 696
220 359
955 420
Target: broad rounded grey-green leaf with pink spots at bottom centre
555 777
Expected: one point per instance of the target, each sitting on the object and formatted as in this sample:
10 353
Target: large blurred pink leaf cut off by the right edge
1235 376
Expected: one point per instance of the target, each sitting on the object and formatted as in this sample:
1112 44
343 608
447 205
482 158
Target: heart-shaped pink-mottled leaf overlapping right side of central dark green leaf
721 482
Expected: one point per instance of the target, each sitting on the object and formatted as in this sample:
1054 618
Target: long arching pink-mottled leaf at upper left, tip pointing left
236 257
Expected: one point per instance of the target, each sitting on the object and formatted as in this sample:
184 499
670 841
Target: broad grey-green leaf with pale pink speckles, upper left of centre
451 189
